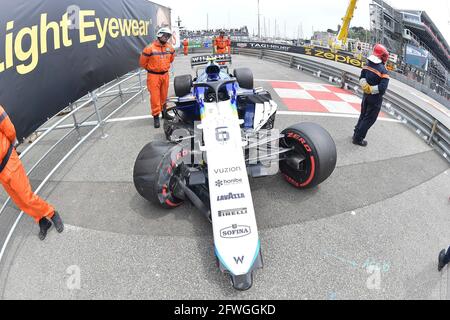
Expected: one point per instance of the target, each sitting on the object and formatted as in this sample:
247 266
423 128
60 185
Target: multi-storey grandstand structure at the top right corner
403 31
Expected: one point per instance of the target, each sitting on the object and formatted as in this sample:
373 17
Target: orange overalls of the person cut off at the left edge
13 176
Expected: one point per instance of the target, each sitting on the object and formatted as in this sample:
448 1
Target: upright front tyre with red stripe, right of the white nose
313 156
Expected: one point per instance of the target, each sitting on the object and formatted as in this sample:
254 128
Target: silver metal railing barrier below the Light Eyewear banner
126 88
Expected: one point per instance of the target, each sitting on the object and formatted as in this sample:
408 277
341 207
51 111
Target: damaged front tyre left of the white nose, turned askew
155 170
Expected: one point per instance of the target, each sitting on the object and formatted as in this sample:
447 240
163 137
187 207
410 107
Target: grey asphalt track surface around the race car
386 205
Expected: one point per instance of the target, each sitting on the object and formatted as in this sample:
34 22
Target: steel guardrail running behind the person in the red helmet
430 124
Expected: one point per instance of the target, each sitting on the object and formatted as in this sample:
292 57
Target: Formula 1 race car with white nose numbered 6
220 132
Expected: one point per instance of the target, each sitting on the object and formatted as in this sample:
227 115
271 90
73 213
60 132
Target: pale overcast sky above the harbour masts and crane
310 14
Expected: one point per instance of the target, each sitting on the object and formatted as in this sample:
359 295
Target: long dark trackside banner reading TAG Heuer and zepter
340 56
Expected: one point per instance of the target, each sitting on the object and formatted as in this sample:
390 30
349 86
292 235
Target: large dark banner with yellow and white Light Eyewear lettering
53 52
